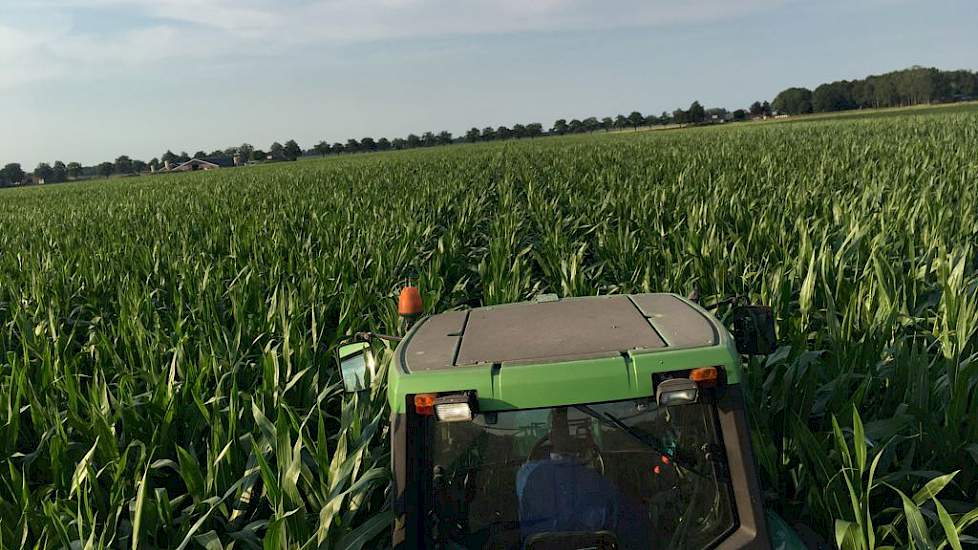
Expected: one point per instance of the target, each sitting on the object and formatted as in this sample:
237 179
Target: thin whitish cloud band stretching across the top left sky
33 49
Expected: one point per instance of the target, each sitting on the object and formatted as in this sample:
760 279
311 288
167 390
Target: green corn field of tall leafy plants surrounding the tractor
166 368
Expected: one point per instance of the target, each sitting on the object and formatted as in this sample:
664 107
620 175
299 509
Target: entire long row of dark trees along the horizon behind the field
911 86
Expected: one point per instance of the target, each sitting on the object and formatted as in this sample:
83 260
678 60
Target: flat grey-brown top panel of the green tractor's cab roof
551 330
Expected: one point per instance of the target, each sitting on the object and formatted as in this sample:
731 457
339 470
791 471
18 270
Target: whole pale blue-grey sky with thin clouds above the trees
89 80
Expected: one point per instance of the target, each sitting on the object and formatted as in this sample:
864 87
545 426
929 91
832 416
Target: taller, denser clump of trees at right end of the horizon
913 86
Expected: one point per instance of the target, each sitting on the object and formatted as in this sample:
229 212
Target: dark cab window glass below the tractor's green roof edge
626 474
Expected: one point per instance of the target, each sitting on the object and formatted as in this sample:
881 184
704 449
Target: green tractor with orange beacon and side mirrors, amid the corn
609 422
